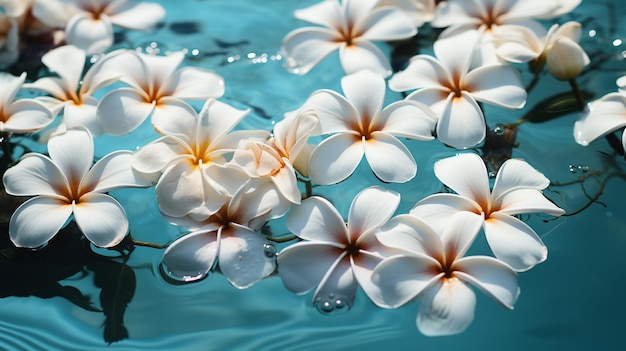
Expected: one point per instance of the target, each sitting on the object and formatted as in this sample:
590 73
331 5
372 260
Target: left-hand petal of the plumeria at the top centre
304 48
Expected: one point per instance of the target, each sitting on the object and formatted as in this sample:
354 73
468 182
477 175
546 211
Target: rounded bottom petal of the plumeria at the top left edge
90 34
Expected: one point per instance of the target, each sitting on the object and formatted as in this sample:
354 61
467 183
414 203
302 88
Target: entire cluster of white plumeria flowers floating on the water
224 184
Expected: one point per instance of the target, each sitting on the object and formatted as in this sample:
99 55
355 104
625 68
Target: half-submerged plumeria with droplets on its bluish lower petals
230 238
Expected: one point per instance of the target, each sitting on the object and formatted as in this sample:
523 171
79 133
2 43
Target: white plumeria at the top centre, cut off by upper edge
350 27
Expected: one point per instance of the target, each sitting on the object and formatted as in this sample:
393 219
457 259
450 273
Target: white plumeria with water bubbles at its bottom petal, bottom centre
336 256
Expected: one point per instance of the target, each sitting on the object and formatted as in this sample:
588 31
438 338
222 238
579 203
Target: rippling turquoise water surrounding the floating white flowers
573 301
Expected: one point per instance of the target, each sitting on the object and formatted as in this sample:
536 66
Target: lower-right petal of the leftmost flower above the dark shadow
101 219
